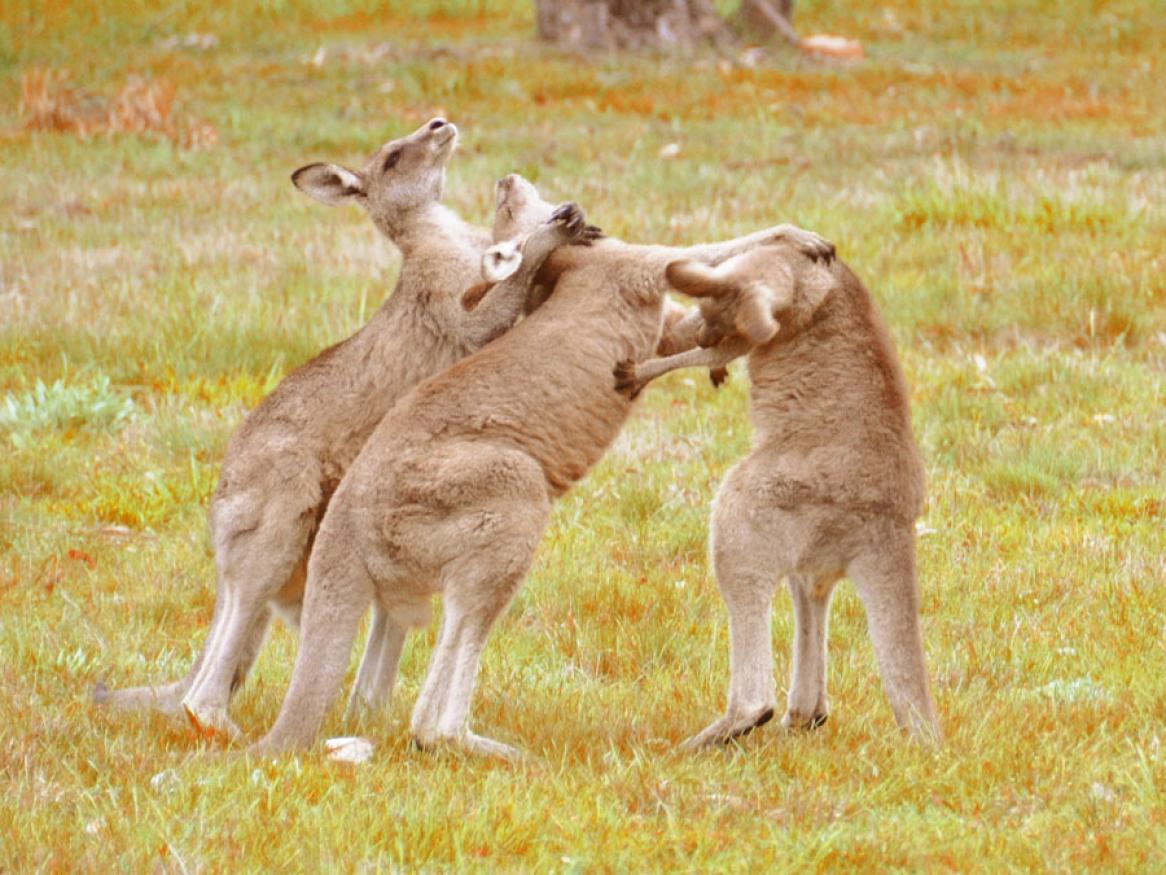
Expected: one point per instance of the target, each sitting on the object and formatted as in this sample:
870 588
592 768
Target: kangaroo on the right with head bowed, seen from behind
831 489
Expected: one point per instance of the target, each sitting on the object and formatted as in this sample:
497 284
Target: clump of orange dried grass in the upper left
143 108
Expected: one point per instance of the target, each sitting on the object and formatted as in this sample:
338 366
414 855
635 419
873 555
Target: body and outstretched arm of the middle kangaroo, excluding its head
452 493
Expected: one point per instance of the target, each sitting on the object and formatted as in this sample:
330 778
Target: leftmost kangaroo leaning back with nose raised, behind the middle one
287 459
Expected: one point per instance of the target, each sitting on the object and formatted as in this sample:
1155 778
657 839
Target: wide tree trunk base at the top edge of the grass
630 24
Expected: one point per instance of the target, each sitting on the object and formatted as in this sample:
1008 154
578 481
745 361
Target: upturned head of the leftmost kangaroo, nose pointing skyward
402 176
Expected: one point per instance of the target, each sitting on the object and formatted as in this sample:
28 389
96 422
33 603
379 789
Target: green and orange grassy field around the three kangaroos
996 172
